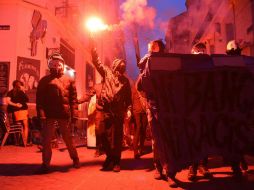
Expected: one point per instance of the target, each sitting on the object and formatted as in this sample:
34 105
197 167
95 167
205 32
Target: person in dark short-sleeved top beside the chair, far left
17 101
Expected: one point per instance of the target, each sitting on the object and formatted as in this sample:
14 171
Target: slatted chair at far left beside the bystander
16 128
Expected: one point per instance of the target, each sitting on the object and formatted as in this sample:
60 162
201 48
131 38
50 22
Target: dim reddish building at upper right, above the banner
215 23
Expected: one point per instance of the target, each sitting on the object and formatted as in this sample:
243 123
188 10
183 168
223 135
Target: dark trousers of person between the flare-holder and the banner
140 131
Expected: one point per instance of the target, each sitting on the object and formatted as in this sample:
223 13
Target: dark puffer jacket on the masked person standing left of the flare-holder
56 97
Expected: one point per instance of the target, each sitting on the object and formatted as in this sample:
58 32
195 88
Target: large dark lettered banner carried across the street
200 110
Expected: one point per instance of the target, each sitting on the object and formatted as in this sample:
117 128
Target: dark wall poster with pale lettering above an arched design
28 71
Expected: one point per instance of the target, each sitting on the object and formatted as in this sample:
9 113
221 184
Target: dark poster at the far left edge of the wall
4 78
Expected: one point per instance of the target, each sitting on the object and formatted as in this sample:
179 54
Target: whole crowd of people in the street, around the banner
116 99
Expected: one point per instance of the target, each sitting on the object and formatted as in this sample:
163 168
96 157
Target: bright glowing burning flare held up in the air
95 24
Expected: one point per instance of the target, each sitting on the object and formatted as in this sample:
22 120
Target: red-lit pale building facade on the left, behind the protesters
31 30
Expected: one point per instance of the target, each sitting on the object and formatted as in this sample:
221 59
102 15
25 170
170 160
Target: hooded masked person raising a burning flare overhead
114 101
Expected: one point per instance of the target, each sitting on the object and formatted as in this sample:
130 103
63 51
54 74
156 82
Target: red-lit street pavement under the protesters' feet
19 168
